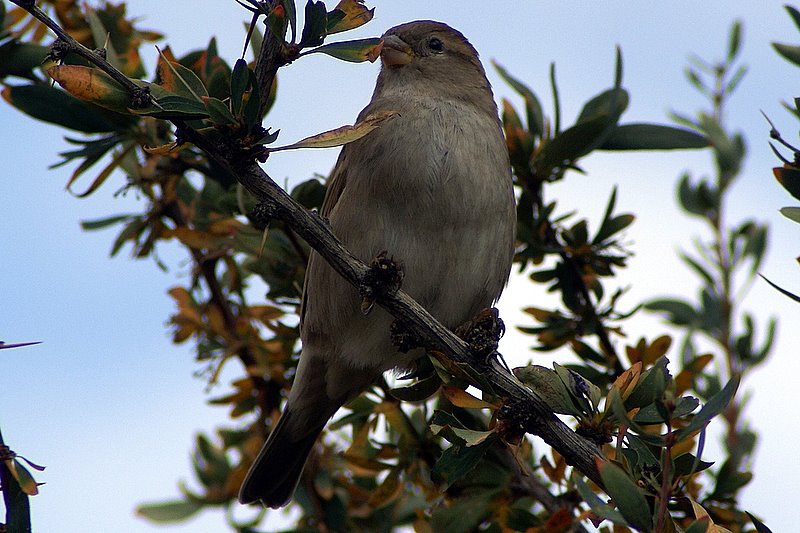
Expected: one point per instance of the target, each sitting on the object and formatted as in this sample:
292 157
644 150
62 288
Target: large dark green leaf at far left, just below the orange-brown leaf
52 105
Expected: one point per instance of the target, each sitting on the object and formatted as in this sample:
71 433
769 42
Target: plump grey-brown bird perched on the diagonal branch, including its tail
433 188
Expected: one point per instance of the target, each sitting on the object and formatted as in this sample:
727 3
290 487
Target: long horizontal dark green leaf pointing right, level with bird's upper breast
653 137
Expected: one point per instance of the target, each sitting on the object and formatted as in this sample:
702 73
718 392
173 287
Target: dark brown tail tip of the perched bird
277 469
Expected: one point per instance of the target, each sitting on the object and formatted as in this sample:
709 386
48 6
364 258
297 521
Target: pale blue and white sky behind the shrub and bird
112 407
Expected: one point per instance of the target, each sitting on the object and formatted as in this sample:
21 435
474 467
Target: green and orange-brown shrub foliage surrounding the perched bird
429 453
